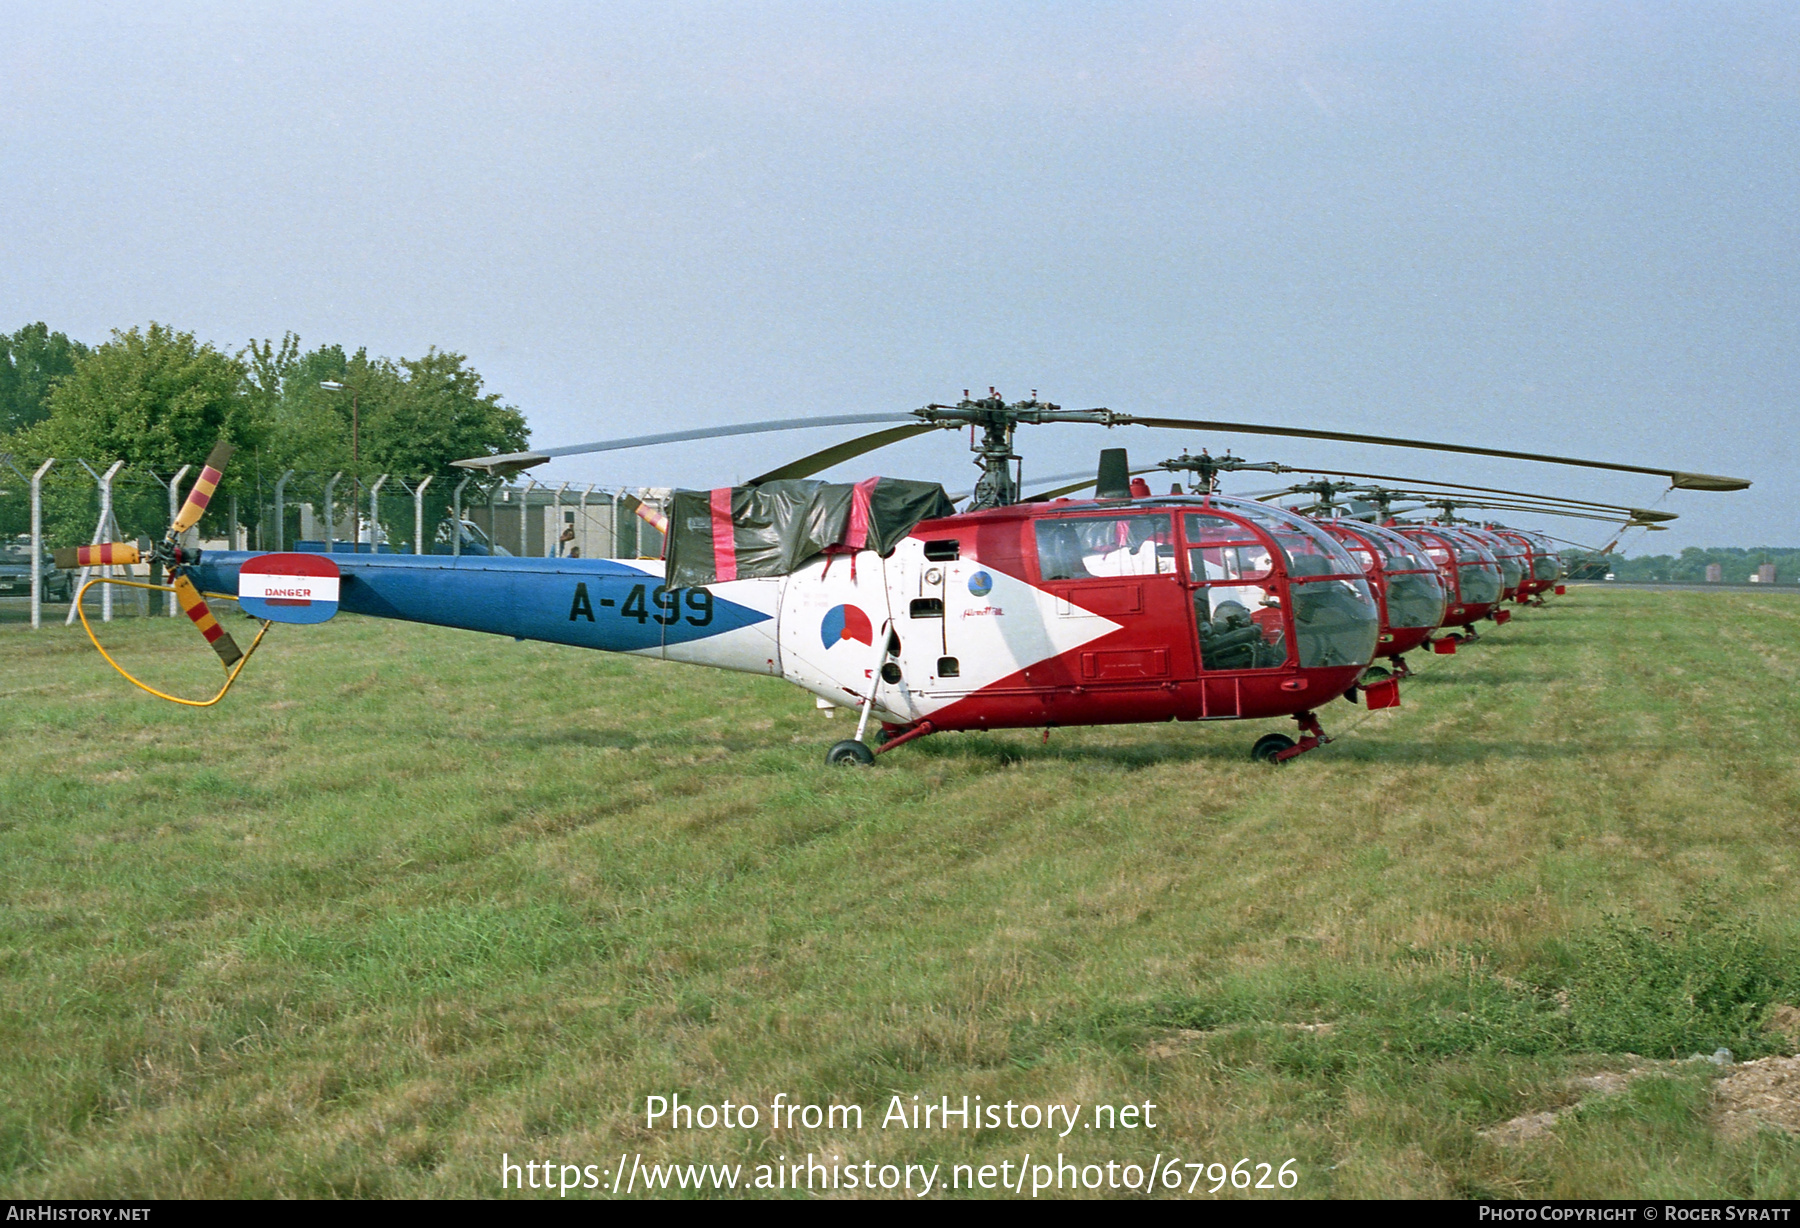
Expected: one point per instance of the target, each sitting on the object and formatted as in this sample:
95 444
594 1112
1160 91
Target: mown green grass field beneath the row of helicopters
413 899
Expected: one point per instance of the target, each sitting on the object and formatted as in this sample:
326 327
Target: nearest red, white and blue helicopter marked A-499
885 599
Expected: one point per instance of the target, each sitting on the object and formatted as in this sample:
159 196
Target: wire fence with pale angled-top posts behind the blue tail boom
76 503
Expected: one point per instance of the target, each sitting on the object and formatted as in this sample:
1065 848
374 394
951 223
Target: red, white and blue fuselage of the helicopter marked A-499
975 622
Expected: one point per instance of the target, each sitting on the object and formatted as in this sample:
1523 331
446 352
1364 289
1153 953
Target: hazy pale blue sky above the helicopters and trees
1554 228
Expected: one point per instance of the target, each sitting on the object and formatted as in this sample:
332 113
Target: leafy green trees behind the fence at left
159 399
